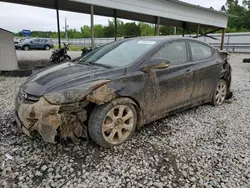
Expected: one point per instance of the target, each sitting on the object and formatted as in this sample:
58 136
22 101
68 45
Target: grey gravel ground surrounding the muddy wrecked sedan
202 147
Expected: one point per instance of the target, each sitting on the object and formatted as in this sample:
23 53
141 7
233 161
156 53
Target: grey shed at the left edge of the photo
8 57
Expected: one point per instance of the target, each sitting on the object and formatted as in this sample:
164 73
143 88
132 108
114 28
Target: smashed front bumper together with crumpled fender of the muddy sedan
63 119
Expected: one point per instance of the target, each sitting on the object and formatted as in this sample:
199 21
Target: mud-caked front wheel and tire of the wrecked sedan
111 125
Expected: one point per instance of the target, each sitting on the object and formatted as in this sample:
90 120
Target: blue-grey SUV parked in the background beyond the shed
37 43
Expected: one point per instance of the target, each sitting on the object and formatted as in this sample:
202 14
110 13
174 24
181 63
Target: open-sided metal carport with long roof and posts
165 12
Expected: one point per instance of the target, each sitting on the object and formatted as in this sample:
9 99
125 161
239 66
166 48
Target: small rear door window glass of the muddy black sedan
200 51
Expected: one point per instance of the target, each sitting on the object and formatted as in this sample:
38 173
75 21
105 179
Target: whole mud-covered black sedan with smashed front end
109 92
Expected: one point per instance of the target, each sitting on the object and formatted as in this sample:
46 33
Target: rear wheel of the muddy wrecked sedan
220 93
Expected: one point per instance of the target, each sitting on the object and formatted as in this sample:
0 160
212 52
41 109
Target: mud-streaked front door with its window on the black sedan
173 86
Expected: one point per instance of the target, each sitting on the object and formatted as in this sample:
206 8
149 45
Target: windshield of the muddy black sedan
119 54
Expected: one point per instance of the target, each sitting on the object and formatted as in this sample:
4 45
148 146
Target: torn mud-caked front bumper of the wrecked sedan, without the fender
49 121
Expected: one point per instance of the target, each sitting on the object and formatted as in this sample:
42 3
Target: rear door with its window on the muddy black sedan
207 70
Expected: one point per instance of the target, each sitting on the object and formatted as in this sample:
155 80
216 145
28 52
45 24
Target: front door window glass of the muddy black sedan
175 52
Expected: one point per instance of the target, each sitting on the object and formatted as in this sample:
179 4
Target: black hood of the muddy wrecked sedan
66 75
